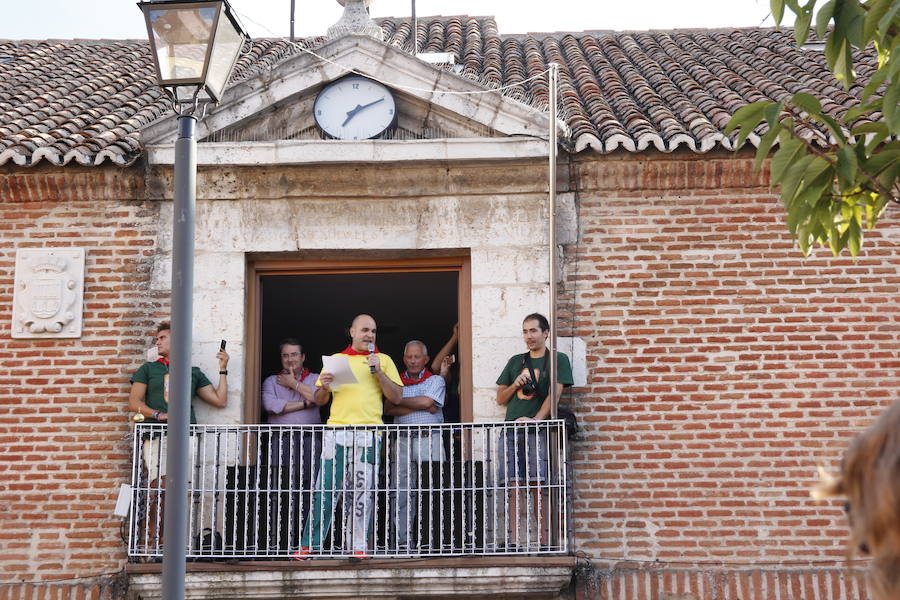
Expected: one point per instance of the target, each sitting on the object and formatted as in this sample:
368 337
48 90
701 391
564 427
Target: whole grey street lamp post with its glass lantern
195 45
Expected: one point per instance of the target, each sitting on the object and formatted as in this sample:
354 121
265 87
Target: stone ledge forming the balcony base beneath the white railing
501 577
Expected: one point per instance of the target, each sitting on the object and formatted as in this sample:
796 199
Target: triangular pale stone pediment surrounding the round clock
277 105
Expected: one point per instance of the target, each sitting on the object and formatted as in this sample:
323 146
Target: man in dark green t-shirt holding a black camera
524 389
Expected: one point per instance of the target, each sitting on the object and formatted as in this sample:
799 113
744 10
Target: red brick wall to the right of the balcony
722 365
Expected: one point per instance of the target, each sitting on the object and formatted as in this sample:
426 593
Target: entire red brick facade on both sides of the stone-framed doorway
722 368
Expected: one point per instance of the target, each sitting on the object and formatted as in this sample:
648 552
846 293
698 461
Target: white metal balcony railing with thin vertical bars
282 492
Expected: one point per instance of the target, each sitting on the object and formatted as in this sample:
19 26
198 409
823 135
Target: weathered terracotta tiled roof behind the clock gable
87 100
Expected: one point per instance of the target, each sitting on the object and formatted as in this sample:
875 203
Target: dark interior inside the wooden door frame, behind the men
317 310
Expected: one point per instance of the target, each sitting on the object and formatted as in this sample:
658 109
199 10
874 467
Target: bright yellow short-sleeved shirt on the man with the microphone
360 403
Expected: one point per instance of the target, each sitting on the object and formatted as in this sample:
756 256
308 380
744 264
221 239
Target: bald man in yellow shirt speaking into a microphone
350 454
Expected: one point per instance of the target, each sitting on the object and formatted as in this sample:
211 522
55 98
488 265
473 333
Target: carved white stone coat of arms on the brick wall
49 293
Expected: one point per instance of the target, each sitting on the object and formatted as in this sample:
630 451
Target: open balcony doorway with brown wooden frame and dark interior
316 301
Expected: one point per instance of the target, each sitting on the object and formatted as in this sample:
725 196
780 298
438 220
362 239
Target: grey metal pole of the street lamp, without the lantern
178 454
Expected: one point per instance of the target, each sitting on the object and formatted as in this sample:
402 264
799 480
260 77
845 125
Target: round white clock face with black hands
355 108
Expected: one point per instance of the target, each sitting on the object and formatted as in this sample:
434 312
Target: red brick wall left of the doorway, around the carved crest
63 410
